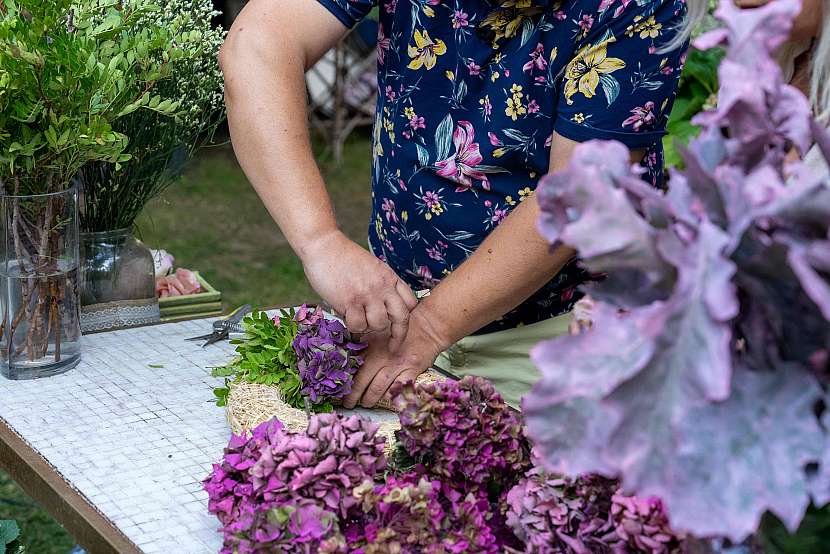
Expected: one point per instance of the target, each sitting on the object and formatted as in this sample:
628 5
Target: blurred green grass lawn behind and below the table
213 222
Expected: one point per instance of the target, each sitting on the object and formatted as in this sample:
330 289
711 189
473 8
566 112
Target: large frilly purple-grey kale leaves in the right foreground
703 378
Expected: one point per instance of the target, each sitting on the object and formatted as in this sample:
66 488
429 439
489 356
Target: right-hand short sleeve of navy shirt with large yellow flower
620 85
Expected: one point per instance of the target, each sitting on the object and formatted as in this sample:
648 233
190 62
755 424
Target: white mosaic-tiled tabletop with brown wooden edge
132 431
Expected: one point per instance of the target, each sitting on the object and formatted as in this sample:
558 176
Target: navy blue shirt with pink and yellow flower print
470 92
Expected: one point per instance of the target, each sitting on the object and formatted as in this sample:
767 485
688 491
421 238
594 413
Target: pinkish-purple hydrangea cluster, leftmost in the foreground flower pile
280 488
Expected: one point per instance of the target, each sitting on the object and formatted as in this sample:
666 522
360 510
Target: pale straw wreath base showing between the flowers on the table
250 404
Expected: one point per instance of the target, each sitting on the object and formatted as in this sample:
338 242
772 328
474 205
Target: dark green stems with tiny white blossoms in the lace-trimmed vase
159 145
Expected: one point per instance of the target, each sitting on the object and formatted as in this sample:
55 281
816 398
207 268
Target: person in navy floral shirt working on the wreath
477 100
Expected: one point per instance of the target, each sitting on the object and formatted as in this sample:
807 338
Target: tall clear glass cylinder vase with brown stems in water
41 333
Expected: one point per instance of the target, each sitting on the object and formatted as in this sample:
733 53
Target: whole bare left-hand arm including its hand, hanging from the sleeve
269 48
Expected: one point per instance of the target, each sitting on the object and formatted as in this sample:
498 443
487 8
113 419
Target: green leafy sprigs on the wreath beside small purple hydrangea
266 356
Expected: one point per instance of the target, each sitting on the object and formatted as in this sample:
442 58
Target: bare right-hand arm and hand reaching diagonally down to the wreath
512 263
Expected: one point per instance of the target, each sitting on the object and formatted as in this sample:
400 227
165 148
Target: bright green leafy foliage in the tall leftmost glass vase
68 70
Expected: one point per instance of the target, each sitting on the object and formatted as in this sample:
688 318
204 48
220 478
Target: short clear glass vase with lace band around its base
118 287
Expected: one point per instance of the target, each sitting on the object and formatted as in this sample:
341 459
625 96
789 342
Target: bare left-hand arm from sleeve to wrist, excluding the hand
264 60
